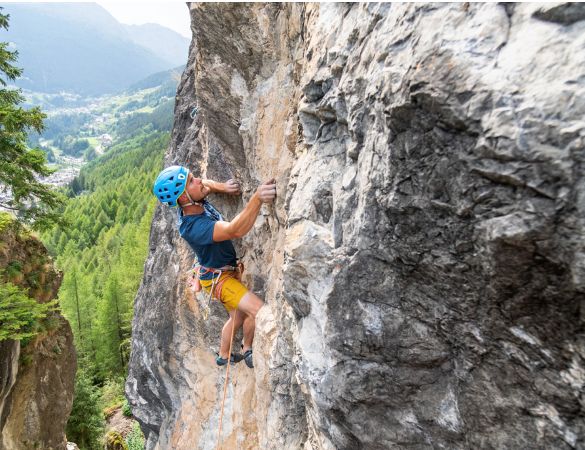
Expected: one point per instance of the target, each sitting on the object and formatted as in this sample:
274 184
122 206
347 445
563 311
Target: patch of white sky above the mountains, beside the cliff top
172 14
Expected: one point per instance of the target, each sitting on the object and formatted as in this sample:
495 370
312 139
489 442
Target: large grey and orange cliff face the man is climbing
423 265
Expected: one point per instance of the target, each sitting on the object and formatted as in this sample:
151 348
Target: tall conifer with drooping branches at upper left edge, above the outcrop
20 166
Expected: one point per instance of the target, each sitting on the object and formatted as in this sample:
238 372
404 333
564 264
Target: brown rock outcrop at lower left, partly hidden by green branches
36 380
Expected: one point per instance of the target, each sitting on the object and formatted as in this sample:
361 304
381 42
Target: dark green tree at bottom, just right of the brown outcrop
86 420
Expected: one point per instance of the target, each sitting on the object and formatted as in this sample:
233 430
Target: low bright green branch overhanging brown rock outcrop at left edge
19 313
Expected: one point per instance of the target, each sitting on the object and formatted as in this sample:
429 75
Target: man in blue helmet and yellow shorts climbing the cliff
210 238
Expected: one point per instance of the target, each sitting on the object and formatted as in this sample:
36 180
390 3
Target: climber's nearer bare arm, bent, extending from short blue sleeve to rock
244 221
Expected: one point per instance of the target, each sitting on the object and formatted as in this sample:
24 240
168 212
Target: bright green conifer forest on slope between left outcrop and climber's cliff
102 254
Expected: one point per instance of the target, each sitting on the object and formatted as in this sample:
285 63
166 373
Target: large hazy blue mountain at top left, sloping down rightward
76 47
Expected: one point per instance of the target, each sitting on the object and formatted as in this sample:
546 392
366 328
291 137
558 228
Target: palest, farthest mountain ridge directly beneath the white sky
162 41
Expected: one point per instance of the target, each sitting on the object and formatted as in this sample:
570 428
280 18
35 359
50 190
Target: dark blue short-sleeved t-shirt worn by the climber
197 230
